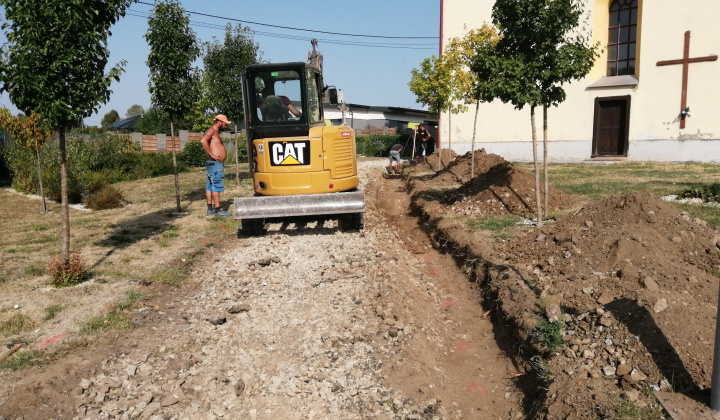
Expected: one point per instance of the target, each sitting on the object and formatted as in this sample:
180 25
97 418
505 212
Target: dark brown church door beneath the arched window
611 126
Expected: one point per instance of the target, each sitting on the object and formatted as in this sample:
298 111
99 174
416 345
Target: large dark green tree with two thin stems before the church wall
543 47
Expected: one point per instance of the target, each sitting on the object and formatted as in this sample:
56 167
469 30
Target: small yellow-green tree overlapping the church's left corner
436 88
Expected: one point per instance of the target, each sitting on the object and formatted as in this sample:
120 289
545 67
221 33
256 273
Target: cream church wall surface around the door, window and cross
655 100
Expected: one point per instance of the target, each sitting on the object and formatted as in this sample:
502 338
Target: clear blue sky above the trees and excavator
369 70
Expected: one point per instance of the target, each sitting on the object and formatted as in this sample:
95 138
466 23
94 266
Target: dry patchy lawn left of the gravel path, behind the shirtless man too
143 242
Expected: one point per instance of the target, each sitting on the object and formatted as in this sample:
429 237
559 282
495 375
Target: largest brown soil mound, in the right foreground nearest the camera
633 280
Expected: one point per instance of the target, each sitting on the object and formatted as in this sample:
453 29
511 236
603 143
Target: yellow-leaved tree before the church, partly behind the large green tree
460 55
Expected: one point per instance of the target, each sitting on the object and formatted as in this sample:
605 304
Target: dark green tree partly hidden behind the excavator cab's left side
223 65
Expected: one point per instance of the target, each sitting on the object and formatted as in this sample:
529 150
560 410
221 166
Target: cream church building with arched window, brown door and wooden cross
652 95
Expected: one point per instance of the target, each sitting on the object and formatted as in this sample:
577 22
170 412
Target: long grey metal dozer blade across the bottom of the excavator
299 205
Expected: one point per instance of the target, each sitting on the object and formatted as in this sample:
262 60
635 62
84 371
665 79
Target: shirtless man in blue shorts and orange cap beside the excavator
213 146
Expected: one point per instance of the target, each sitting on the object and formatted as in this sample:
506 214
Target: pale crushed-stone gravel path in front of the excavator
298 324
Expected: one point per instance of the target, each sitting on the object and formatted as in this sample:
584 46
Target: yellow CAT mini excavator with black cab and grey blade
300 166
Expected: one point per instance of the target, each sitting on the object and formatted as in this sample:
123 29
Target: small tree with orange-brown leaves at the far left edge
29 132
